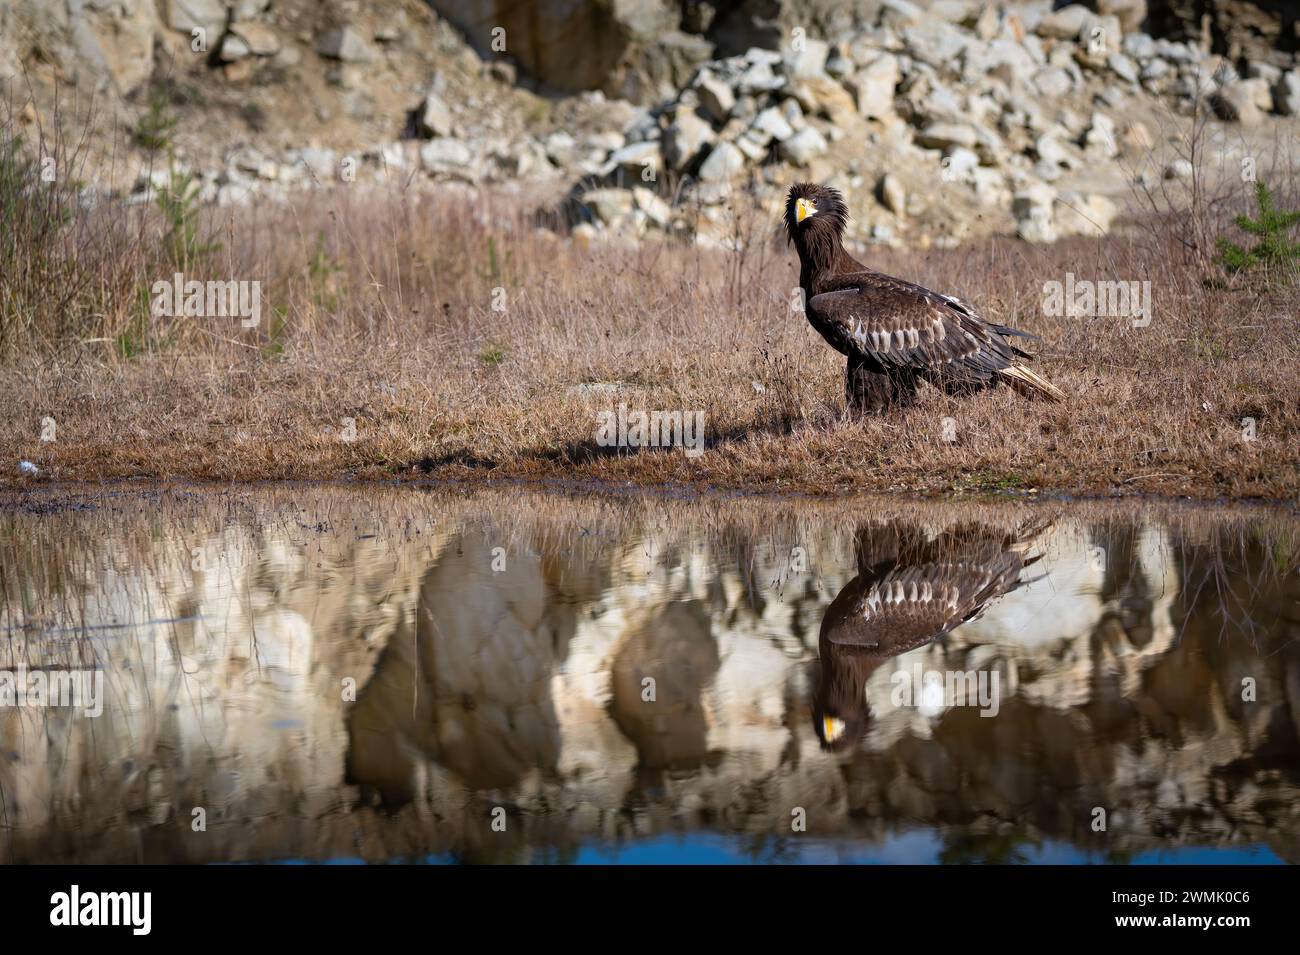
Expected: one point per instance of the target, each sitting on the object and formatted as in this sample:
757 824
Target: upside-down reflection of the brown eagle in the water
911 591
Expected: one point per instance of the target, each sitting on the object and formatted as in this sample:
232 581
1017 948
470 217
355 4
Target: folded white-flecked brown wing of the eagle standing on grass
905 327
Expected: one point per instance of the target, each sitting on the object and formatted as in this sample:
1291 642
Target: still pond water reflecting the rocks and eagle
423 675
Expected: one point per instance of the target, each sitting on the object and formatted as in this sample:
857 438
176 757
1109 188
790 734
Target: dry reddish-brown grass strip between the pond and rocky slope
379 309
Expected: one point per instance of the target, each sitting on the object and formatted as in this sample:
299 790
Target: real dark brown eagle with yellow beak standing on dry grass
895 333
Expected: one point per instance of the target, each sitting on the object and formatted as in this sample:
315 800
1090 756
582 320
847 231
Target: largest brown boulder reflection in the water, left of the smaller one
470 688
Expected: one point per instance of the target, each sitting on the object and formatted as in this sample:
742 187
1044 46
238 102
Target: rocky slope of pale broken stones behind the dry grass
942 120
